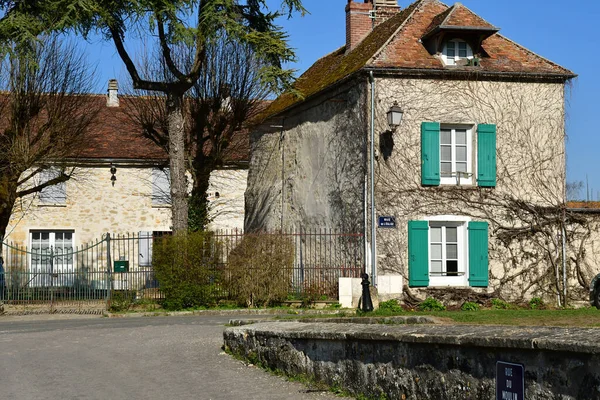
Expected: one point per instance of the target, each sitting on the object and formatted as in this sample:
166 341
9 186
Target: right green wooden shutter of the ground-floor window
478 254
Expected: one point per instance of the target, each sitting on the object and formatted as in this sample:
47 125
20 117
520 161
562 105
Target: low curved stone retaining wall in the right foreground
427 361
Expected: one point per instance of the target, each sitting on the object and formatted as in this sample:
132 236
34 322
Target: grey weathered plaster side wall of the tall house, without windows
311 171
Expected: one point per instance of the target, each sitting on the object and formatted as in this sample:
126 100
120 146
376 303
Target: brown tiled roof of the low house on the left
114 135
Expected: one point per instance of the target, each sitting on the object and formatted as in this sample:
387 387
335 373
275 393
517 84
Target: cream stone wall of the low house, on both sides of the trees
95 207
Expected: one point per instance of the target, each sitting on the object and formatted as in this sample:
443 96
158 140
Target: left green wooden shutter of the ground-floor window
418 253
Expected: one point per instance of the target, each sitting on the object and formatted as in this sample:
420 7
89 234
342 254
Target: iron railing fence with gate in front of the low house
53 278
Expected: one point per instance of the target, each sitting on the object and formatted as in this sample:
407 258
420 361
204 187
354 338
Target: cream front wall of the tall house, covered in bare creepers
530 168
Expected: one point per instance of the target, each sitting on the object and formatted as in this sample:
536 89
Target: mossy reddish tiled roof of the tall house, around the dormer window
397 44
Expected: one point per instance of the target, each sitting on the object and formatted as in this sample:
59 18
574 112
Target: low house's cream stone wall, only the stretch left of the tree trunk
94 207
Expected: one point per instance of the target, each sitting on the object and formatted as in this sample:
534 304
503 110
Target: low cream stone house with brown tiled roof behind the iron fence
120 185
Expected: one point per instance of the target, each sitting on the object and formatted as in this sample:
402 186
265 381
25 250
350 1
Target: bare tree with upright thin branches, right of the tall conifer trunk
228 94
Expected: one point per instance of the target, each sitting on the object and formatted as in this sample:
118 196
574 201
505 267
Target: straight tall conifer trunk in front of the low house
179 202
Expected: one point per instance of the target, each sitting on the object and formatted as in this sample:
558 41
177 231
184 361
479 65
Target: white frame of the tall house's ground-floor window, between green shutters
460 222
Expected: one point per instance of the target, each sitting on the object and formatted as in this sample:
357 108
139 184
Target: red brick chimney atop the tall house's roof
362 17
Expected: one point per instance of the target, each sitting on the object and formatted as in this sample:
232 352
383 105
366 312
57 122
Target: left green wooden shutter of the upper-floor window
430 153
